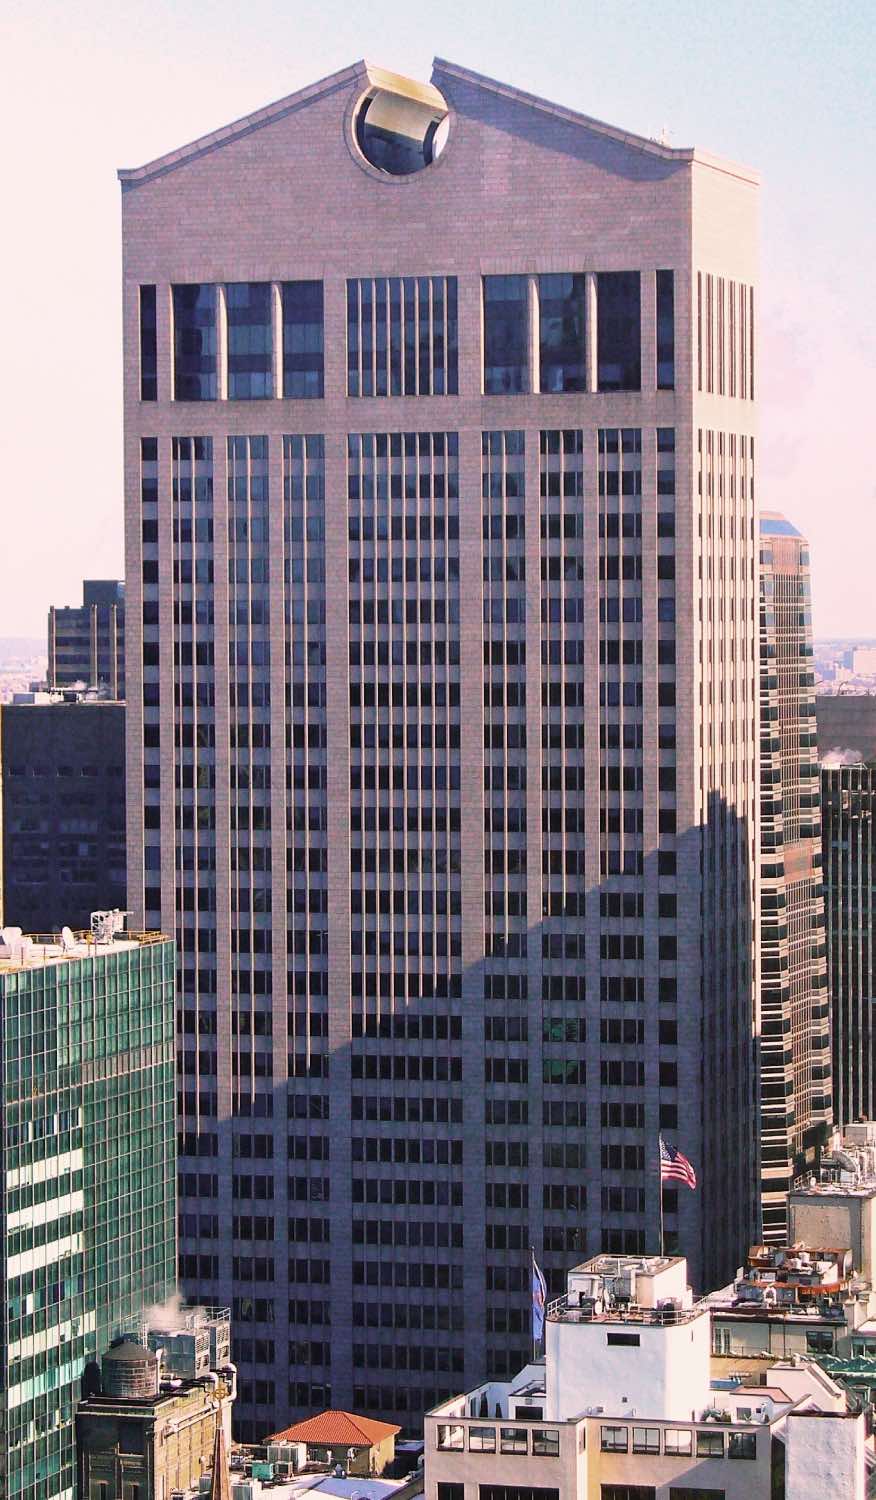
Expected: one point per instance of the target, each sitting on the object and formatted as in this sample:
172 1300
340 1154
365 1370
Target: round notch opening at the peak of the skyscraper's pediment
400 125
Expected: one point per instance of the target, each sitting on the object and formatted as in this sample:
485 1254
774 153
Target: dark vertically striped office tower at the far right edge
850 868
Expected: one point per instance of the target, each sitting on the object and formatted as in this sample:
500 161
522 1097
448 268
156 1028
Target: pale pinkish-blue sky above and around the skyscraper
787 88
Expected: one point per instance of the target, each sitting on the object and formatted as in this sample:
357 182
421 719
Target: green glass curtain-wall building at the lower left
89 1180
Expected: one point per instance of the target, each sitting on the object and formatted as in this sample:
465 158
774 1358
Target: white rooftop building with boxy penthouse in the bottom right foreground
623 1408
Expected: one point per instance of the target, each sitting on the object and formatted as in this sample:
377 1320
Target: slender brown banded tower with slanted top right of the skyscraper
796 1052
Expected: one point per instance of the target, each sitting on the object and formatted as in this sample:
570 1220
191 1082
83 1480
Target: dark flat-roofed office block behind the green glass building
62 812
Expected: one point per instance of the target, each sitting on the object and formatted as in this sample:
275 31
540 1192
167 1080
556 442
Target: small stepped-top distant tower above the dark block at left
86 644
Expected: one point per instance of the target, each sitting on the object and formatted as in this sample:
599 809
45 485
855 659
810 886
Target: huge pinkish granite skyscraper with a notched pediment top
443 713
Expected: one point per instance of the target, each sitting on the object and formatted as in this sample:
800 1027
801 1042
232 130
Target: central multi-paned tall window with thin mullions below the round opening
403 337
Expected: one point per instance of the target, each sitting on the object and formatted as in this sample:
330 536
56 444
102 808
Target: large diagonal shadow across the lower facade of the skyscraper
377 1220
